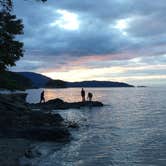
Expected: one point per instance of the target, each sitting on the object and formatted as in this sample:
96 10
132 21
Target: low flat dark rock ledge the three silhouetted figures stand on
60 104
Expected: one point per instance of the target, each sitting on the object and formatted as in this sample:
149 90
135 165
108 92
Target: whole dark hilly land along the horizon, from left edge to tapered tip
28 80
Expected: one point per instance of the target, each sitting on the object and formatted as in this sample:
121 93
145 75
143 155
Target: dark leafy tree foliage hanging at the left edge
10 49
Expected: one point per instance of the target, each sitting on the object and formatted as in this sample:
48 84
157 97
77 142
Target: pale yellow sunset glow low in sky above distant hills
109 73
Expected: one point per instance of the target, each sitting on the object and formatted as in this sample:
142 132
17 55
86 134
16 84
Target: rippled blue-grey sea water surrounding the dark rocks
130 130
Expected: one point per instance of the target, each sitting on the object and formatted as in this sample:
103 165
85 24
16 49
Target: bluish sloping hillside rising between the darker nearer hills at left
38 80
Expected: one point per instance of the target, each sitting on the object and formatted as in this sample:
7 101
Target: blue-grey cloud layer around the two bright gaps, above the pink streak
96 34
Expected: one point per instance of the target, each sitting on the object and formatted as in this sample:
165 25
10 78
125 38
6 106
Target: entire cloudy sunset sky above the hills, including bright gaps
112 40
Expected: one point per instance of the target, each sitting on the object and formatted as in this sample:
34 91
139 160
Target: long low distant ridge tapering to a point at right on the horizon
98 84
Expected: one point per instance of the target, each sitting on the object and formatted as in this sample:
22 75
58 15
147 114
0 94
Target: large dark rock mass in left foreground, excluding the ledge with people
17 120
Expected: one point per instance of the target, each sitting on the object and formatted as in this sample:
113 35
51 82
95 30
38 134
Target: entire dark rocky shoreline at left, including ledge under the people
20 121
